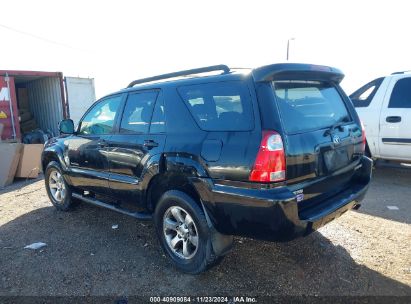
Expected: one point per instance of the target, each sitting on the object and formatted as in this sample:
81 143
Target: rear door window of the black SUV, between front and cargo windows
137 112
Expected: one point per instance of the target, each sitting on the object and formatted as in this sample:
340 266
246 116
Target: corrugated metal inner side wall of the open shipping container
45 103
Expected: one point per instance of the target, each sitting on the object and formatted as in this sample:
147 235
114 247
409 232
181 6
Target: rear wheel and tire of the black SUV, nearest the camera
194 259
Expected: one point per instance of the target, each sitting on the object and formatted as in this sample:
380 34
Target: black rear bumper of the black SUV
273 214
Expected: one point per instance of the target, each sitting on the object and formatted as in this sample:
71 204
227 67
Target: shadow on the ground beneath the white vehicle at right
389 189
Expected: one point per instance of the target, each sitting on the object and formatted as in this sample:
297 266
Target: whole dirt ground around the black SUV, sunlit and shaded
364 252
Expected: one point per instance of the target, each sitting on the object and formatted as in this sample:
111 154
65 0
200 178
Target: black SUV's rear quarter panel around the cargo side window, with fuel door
237 148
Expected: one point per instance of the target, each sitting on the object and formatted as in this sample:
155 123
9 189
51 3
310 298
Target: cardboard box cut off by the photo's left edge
9 160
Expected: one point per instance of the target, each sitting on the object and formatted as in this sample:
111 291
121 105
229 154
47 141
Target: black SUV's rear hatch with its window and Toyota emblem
322 138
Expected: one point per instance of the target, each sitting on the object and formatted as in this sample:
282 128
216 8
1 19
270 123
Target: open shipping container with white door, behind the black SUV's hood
31 100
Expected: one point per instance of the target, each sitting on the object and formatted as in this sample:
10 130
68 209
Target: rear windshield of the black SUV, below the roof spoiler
309 105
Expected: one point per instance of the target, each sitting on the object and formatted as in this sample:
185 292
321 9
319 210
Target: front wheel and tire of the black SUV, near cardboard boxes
54 181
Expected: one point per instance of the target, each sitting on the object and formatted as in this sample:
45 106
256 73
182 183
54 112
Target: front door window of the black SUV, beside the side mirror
100 119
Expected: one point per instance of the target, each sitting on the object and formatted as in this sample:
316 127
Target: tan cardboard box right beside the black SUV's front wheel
30 161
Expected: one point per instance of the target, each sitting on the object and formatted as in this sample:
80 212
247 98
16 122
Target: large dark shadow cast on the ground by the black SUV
86 256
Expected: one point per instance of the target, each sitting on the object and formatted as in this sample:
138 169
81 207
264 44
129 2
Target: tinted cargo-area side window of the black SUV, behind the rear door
223 106
